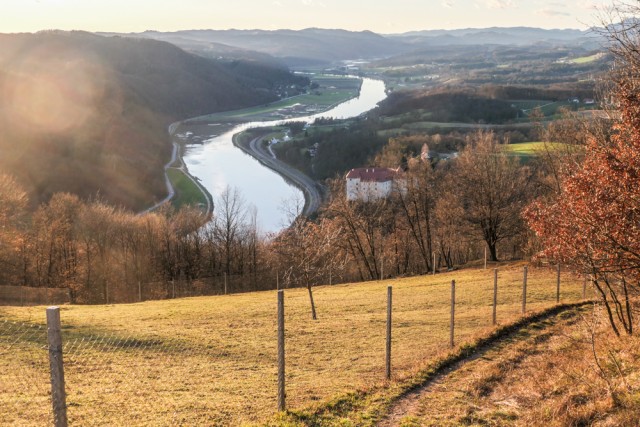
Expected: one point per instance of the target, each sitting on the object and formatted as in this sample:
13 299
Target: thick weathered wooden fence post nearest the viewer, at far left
58 397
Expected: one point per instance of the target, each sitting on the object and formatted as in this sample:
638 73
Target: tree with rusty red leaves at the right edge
593 222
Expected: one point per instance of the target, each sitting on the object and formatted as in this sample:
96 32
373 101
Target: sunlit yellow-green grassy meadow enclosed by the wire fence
212 360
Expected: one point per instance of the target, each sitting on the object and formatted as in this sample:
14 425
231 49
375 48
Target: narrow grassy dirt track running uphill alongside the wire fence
458 387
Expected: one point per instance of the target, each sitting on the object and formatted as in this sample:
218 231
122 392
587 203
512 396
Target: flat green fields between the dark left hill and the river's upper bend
330 91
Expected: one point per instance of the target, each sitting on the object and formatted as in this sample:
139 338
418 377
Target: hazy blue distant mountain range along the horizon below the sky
321 46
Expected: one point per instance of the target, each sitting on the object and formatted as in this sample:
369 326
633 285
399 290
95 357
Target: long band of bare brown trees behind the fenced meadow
106 254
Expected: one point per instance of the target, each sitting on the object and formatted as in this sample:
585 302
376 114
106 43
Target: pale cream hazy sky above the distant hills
382 16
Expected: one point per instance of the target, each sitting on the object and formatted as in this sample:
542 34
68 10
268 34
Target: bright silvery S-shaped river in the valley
217 163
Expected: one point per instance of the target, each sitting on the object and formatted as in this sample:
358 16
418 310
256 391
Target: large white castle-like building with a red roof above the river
368 184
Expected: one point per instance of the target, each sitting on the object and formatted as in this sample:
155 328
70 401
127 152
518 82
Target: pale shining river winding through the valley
212 156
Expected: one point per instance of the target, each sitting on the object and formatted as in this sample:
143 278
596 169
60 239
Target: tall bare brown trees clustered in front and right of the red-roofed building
450 209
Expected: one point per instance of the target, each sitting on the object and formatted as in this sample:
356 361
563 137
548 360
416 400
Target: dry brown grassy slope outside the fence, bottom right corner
545 375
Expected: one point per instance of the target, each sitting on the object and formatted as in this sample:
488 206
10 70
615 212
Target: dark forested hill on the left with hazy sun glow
87 114
